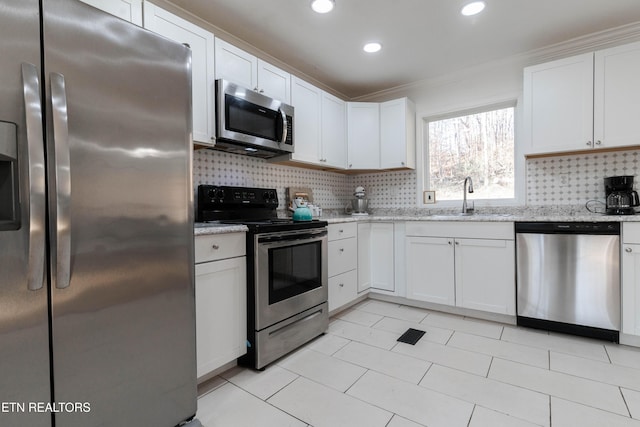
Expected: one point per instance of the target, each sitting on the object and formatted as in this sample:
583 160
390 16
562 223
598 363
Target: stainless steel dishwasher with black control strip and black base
568 277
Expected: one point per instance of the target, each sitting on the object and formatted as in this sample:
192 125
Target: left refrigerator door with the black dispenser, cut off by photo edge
24 336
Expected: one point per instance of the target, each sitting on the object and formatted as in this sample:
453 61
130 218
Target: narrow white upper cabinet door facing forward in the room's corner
363 135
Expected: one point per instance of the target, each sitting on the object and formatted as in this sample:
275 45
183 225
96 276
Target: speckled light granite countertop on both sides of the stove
493 214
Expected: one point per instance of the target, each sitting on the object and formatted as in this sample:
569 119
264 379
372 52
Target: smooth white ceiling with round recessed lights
421 39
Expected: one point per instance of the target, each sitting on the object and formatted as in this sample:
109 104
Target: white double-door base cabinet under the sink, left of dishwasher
443 266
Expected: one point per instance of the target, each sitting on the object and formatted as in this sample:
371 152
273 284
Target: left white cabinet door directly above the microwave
235 65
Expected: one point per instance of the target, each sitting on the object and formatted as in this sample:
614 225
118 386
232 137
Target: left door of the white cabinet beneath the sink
430 269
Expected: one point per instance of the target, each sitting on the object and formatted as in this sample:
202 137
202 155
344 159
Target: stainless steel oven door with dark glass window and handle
291 274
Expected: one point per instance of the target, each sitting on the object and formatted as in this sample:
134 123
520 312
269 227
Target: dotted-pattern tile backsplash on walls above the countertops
560 180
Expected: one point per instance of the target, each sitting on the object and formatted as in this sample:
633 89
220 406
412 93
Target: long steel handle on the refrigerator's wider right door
62 181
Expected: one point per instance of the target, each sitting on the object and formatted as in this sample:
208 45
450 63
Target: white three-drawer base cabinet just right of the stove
342 264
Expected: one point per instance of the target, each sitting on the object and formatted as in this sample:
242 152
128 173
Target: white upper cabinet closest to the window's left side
398 134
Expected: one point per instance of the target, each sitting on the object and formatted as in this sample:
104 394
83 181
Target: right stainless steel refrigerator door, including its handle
121 226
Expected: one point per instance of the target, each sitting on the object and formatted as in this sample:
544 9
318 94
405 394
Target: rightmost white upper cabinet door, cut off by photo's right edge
617 96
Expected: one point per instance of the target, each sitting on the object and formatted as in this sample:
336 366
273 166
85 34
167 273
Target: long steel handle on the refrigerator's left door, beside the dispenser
35 176
